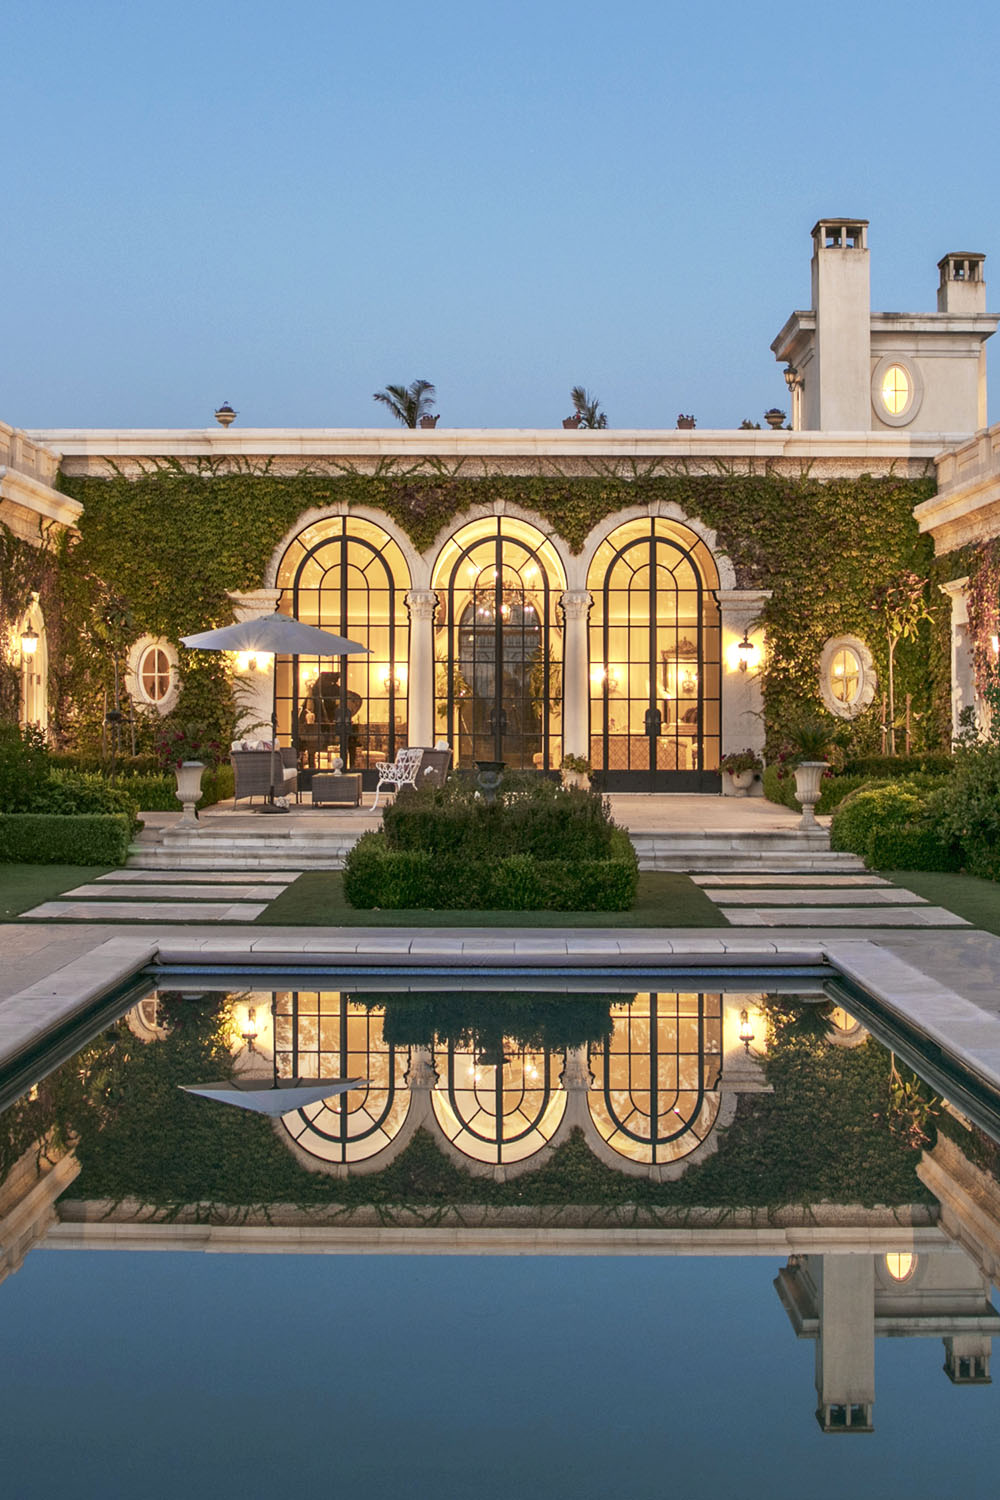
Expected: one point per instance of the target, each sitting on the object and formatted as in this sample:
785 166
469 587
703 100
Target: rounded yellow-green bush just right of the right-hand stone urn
894 827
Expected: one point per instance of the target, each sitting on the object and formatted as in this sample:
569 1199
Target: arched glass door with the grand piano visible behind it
349 577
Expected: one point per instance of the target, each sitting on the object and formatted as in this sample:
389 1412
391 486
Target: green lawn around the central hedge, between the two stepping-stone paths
663 901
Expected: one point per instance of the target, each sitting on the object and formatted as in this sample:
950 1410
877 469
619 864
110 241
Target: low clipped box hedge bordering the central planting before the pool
379 875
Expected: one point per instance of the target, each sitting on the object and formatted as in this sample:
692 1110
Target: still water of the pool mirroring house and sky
540 1243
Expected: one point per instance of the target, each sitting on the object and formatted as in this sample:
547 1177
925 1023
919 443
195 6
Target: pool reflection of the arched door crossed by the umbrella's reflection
326 1036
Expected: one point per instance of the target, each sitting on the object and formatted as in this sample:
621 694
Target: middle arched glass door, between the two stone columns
499 646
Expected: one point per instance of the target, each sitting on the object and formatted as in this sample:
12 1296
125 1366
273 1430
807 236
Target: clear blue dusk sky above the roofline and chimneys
292 206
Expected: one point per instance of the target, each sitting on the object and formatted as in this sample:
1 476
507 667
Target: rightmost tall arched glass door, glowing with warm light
656 661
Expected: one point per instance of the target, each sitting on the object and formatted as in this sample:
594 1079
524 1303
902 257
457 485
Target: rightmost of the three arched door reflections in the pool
654 1081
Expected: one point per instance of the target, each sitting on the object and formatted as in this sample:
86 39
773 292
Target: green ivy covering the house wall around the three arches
161 553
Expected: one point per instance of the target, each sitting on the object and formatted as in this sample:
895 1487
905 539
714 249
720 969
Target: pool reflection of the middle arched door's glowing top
499 1106
